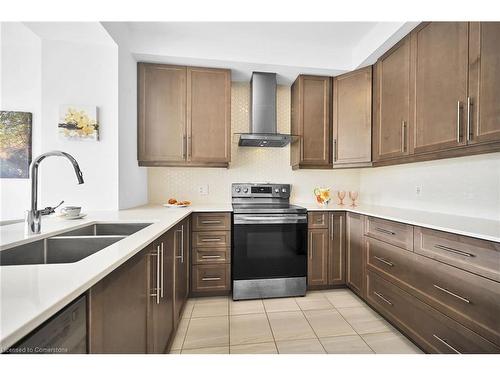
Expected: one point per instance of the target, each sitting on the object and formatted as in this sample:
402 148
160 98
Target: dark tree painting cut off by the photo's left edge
15 144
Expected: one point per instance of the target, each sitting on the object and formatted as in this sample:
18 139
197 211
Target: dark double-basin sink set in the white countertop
70 246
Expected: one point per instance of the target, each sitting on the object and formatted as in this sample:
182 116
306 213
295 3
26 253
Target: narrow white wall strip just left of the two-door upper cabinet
133 189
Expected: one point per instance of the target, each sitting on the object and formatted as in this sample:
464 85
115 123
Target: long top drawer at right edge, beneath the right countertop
477 256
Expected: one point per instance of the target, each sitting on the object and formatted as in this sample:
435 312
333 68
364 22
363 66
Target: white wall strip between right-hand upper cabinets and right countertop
468 186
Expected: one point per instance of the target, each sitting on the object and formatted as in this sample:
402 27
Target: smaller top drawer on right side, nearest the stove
397 234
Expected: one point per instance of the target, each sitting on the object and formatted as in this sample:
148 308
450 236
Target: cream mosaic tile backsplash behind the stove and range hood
248 164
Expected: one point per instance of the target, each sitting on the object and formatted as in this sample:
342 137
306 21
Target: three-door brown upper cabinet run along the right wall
436 94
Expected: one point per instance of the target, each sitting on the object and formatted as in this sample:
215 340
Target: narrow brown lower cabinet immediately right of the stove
326 249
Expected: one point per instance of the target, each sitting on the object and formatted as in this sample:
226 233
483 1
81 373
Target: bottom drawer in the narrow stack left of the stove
211 277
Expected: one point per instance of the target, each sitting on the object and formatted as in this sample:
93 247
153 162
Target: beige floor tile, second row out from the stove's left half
249 328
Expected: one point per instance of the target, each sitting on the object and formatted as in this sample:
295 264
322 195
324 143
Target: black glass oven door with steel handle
267 246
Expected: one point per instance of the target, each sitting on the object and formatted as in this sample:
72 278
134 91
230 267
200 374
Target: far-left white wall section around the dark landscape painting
20 90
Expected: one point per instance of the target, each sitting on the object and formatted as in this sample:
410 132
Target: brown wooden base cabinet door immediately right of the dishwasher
118 309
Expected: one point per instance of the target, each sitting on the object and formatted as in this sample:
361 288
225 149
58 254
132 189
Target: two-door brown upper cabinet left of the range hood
184 116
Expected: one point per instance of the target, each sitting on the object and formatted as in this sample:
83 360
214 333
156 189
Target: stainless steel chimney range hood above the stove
263 127
